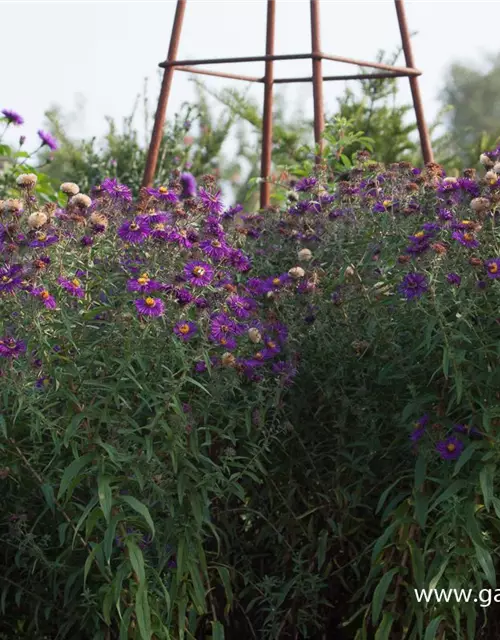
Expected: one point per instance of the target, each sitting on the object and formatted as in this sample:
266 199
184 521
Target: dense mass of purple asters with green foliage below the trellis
271 425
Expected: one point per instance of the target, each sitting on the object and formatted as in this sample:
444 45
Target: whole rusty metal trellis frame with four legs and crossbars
268 80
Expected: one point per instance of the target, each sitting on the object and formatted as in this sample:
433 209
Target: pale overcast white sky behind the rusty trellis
53 51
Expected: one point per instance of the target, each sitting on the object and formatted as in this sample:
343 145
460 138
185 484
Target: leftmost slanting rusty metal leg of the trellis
156 136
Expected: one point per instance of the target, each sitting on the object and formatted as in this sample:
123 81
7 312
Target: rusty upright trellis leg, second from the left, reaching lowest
267 121
